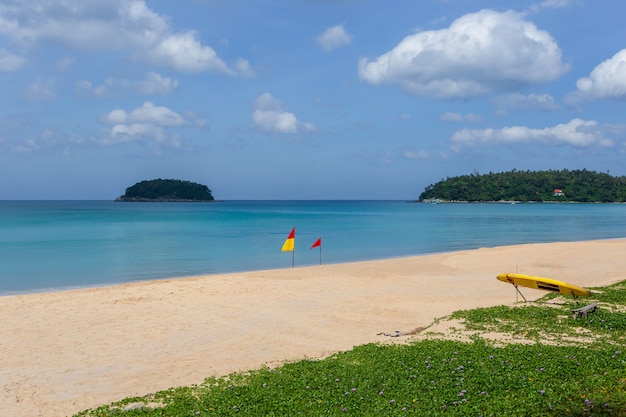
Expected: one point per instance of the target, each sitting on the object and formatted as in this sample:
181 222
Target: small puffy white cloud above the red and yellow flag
269 116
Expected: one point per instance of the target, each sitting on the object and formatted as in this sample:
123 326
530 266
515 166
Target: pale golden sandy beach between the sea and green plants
62 352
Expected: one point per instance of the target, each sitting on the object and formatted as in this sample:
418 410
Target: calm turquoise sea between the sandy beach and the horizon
58 245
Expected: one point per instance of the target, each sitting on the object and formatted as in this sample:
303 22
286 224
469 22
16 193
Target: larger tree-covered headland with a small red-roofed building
581 186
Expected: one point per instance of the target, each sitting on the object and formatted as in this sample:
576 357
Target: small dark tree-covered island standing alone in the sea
166 191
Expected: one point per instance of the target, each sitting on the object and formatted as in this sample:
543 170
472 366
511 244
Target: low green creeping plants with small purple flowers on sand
552 365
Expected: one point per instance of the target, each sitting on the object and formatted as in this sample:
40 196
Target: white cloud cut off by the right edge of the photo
606 81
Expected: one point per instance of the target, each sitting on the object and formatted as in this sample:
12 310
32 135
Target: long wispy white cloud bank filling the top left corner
111 25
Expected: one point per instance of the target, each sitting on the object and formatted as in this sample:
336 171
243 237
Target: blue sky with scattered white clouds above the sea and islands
304 99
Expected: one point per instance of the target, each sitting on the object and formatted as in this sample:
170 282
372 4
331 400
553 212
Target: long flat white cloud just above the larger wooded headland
577 133
